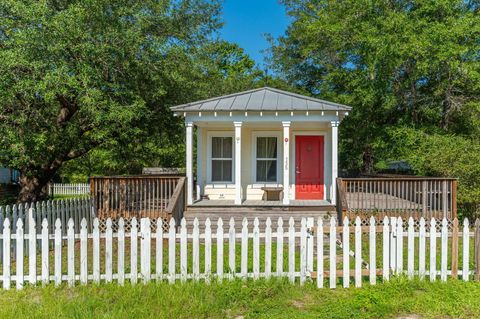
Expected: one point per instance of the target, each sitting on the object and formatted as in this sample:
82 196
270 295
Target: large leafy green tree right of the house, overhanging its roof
398 63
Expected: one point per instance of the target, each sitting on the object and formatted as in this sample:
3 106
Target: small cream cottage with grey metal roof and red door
253 145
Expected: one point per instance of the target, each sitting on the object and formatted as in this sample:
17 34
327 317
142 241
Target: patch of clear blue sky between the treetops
246 22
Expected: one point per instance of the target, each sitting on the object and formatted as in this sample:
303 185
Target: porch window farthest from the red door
222 159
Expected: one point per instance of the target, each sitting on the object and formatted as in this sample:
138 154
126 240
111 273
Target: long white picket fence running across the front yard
276 250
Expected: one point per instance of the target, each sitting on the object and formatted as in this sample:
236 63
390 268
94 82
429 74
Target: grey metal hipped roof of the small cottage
262 99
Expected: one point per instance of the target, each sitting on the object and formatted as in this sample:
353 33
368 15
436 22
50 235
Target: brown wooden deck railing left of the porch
150 196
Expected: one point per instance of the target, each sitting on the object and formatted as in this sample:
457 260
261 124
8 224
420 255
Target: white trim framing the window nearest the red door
279 181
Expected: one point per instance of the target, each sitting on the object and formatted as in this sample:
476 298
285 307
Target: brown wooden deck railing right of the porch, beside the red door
408 196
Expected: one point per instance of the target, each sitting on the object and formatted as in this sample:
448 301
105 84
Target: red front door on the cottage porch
309 162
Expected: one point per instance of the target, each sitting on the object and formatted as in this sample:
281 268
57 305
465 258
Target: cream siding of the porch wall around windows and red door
250 189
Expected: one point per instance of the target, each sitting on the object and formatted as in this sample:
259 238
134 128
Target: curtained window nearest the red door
266 160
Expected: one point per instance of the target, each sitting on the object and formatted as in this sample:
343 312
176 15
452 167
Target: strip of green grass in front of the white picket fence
259 299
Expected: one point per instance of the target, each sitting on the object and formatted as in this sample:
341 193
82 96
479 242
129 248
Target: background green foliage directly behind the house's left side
225 68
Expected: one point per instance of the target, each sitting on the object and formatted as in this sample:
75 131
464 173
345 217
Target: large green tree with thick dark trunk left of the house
77 75
